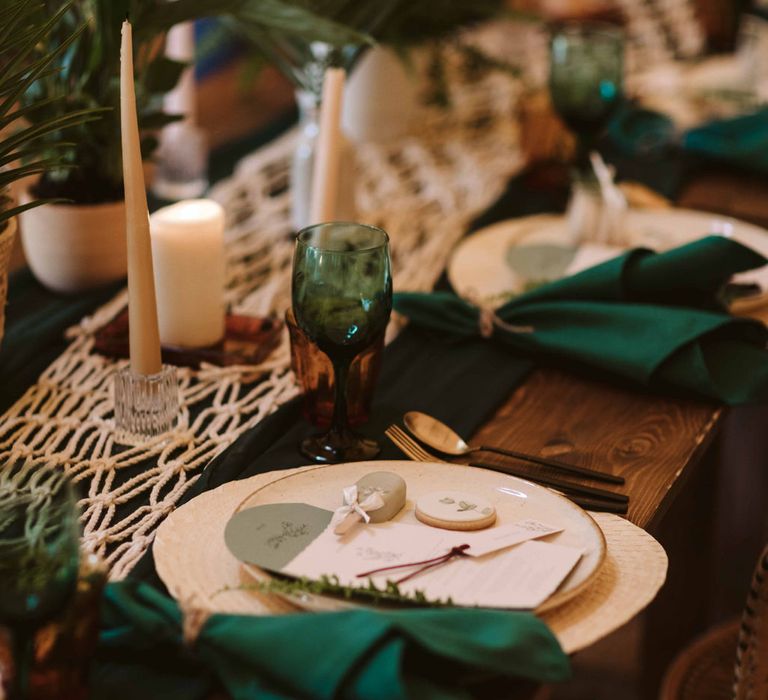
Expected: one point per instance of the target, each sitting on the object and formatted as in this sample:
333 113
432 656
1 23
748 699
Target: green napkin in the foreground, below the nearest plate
424 653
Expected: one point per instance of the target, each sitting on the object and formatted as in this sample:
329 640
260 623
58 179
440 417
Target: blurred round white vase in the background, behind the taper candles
383 97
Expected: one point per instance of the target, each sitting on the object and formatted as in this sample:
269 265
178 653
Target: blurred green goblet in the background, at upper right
586 72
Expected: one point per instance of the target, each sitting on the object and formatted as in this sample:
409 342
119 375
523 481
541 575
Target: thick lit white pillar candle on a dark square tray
188 250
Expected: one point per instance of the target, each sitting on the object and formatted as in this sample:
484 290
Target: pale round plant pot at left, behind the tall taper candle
71 248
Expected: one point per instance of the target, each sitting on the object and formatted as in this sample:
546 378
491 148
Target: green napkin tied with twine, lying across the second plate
653 319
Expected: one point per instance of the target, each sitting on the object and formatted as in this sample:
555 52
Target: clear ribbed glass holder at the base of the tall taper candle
146 406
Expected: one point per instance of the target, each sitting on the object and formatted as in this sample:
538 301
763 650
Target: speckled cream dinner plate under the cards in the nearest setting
515 499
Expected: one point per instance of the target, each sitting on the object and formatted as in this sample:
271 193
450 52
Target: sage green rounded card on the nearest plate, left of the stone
270 536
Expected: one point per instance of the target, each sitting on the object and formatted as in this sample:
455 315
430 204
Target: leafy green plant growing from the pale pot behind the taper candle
87 67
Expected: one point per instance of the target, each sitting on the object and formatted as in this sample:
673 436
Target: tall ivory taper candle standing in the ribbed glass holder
142 309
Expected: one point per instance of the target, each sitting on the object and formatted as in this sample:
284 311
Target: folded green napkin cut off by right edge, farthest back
739 140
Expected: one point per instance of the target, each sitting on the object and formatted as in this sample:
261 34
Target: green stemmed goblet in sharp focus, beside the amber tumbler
342 299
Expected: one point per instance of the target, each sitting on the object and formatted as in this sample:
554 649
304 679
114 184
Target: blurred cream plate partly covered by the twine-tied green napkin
479 268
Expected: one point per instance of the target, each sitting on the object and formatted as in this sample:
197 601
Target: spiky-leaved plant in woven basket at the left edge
24 152
